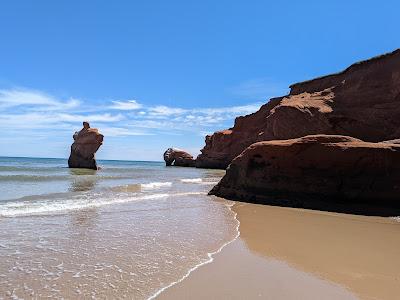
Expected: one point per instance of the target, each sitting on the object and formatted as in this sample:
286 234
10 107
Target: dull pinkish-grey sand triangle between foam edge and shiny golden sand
236 274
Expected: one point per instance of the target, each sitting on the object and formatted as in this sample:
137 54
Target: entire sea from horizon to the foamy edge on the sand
129 230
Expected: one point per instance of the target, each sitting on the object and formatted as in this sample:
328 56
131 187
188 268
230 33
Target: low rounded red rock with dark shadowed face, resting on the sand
327 172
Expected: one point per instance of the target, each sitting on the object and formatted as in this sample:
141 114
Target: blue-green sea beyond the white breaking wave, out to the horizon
40 176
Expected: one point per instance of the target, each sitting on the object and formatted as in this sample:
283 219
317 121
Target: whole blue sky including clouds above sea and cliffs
155 74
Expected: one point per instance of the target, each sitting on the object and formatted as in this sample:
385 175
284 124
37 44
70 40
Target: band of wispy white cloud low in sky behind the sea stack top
34 113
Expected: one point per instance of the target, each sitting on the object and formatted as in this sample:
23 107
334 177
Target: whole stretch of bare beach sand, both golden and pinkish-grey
285 253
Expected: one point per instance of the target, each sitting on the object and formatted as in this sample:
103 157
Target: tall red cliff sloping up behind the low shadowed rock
363 101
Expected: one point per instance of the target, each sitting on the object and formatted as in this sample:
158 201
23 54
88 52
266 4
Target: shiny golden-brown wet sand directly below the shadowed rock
358 252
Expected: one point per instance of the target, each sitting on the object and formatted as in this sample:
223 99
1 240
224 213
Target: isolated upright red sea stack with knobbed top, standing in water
86 142
